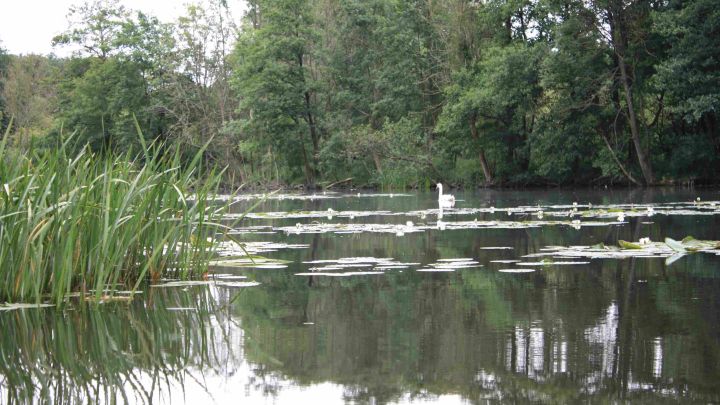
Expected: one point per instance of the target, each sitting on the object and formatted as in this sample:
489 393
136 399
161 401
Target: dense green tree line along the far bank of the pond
390 93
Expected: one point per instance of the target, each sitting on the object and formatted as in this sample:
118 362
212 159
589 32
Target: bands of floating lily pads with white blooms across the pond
577 216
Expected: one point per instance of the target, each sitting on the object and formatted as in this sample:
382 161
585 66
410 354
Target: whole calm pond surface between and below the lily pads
611 331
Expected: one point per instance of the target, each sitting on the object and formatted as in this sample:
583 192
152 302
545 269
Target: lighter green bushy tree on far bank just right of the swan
491 101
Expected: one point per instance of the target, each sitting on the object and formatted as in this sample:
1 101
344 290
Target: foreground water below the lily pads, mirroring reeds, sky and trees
480 335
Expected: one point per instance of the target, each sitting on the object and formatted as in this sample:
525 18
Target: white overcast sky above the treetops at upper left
28 26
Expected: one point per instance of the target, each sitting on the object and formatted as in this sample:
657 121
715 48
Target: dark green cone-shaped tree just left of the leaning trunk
579 130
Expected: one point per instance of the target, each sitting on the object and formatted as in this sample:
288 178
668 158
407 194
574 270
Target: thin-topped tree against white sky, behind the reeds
111 81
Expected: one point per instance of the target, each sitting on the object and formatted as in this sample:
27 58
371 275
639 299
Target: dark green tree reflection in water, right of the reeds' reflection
485 336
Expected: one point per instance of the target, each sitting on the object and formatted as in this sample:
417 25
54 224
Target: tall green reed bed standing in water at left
95 224
